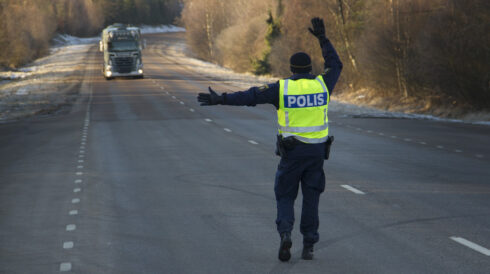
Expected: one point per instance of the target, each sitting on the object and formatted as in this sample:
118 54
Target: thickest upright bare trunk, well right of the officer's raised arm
399 55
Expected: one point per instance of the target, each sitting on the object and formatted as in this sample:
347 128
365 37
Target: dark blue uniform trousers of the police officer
290 172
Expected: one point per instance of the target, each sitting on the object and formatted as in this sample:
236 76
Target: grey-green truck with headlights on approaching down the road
122 46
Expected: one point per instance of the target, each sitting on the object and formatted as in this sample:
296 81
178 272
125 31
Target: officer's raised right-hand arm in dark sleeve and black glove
333 65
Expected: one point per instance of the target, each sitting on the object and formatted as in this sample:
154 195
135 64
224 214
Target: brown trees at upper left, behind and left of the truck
27 26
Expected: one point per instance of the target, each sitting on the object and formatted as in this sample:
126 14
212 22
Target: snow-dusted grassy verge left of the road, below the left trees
45 85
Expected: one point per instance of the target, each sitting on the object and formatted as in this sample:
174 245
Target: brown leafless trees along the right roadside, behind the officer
435 50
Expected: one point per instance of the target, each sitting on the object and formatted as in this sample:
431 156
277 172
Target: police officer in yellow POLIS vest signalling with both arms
302 104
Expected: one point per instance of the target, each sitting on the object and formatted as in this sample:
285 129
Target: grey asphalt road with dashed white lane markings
137 178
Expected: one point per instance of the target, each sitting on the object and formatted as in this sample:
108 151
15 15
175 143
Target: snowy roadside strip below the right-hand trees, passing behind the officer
180 53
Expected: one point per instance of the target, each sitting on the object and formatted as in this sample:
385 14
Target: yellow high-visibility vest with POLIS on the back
303 107
